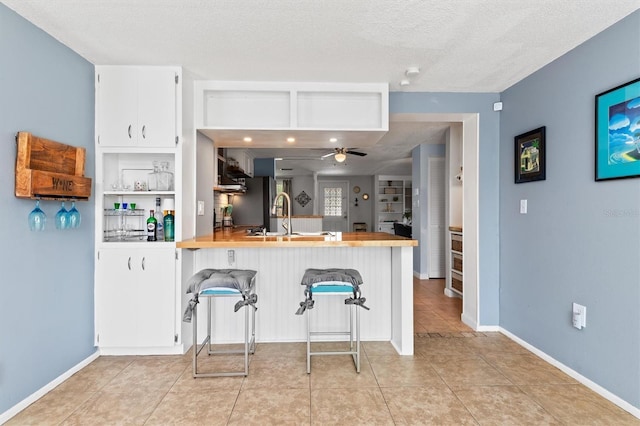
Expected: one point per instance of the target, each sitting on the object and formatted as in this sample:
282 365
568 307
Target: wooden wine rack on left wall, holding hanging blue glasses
50 170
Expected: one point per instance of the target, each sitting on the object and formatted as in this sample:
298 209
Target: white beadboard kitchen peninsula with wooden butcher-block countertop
384 261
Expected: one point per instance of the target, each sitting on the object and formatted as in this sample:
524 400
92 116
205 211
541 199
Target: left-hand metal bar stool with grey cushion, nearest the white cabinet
213 283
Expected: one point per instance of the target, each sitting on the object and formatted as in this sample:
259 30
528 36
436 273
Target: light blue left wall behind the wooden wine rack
46 290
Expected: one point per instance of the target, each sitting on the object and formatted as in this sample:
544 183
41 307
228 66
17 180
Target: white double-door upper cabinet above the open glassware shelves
136 106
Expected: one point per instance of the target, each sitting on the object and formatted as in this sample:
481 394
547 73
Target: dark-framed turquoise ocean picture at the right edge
618 132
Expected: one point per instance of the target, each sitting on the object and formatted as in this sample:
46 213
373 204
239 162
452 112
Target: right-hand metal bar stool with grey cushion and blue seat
331 282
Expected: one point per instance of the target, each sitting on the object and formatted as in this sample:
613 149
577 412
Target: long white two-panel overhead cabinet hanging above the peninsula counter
226 112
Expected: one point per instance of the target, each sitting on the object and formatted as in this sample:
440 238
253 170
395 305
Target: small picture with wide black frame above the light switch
530 157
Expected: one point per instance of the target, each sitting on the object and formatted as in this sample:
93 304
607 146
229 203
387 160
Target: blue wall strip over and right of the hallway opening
489 123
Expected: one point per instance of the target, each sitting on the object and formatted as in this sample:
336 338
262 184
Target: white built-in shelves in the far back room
393 199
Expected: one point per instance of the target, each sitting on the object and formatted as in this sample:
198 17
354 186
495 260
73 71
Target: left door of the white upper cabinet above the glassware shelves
117 106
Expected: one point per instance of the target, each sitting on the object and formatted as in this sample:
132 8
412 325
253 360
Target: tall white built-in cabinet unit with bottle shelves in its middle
137 296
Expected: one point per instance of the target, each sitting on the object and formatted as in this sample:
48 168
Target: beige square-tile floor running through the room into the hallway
456 377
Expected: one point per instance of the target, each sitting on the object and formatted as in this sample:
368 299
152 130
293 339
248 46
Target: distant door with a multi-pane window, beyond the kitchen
334 205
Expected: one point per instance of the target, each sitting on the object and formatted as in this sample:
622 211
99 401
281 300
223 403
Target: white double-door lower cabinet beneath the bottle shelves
135 297
